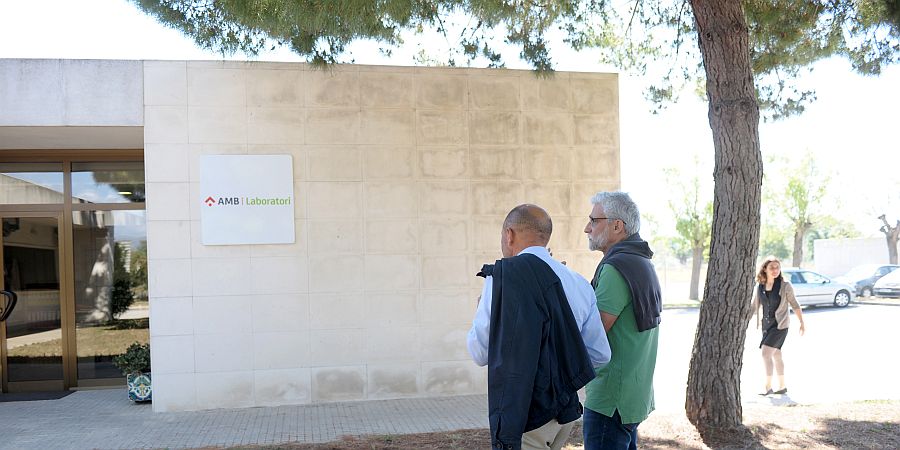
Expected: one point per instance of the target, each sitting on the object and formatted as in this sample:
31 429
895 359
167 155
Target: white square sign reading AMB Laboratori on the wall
246 199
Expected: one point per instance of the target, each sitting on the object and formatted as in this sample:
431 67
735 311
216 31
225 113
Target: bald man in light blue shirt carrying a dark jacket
539 332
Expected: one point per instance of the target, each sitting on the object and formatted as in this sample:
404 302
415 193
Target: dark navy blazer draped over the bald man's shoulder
537 360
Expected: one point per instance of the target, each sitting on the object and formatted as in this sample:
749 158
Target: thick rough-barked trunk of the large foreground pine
713 392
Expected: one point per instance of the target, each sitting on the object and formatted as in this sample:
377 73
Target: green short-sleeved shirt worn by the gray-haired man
626 383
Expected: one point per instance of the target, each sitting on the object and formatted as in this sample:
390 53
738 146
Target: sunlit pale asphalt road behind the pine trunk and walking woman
847 354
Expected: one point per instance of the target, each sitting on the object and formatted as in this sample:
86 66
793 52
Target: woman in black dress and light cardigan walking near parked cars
774 294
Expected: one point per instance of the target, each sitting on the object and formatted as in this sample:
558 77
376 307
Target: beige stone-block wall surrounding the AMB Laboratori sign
402 178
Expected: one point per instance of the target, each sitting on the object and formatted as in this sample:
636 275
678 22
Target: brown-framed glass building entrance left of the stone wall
74 258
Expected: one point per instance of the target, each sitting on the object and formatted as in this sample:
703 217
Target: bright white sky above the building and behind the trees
851 128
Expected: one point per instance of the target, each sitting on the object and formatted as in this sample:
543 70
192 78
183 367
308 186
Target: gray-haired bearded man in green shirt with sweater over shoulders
628 297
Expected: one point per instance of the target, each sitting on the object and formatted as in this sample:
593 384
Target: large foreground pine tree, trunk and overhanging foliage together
772 39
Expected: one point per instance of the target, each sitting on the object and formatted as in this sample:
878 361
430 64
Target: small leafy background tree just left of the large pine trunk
693 221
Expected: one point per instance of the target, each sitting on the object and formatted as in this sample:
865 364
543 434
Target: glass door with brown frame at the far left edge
31 337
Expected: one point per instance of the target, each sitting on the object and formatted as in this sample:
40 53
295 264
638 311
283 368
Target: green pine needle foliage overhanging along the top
786 36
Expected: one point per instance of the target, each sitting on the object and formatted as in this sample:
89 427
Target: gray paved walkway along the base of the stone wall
105 419
